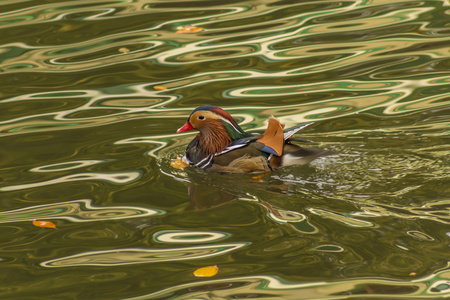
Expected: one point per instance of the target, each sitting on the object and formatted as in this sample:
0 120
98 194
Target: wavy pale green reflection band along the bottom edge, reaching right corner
270 286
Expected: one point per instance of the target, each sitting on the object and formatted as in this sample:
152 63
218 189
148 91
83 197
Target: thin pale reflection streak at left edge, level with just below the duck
117 178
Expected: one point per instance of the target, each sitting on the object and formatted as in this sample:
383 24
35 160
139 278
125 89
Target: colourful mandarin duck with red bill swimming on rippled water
223 146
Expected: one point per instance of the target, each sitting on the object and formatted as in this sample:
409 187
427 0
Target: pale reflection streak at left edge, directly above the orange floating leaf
76 211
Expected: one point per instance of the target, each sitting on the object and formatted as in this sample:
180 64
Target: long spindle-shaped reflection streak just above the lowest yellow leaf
129 256
